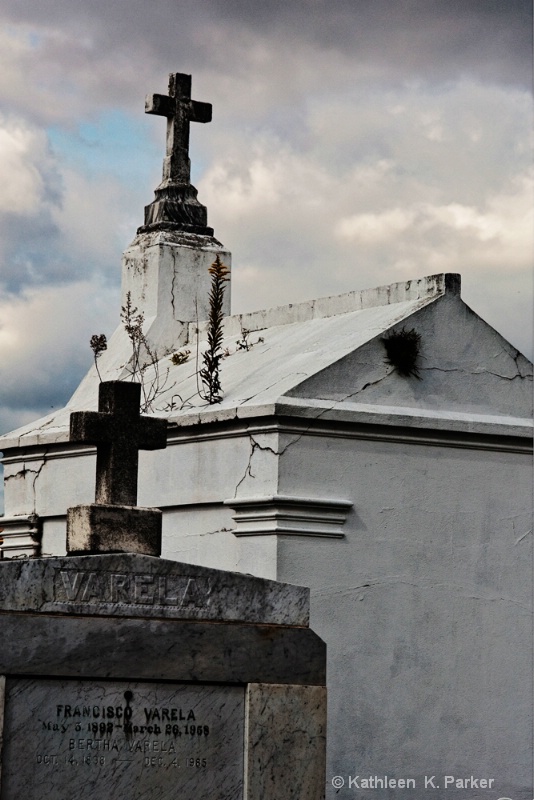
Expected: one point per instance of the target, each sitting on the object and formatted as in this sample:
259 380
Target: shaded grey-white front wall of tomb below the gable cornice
426 606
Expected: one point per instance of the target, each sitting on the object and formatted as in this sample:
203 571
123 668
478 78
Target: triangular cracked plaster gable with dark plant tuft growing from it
464 365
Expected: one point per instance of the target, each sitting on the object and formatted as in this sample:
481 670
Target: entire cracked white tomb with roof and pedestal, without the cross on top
402 500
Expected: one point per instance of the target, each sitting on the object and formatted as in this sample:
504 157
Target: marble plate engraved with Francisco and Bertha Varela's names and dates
102 740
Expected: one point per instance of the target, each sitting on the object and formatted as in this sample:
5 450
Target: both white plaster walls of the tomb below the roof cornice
424 604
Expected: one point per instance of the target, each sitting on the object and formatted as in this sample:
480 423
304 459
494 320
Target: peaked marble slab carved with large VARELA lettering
128 585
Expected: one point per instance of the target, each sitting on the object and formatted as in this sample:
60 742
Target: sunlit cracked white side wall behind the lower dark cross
190 479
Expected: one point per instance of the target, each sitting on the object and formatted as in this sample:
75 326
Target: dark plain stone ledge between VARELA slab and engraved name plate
157 650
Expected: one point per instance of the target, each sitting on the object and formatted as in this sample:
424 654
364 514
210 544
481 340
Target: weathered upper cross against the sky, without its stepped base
180 110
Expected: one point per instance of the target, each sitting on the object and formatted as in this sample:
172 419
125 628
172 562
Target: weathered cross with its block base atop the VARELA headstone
114 523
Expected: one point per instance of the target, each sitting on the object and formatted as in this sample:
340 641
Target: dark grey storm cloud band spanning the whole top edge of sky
435 39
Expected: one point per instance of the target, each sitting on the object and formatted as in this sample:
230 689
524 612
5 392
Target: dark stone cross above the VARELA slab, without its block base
119 432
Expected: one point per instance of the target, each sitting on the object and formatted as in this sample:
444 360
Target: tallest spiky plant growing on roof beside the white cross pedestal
211 358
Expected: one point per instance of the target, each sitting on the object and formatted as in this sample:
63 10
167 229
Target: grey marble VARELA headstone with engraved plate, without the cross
127 676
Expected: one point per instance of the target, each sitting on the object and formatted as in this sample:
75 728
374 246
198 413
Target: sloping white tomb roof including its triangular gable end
322 358
